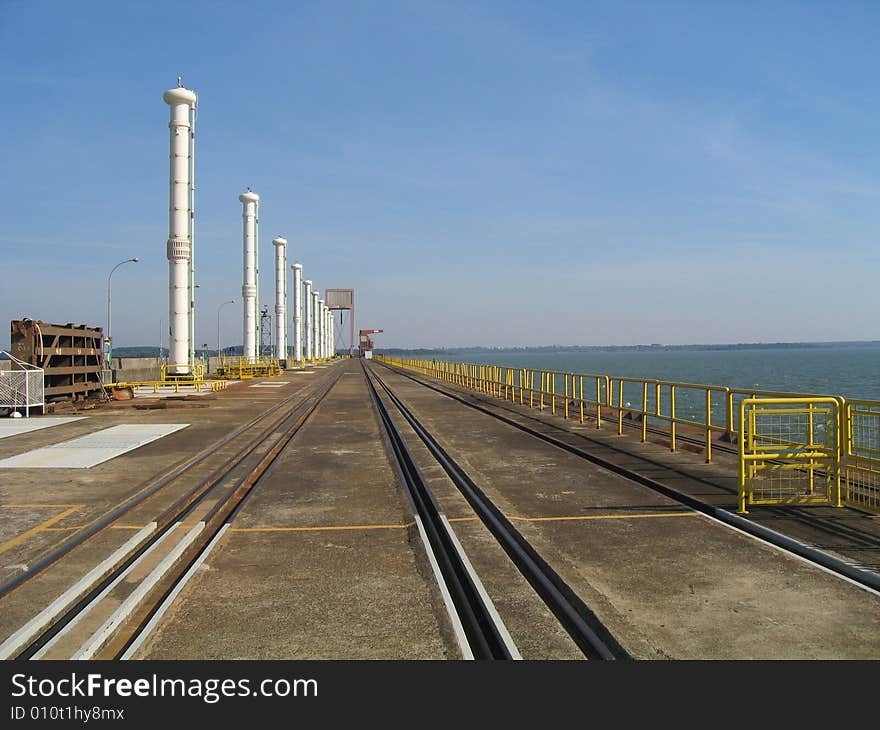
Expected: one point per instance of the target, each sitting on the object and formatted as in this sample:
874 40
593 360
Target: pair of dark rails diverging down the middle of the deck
481 632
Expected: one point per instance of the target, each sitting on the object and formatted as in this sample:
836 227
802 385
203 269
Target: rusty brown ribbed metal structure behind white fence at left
70 356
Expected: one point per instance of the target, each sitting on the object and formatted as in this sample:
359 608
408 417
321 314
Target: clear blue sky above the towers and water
495 173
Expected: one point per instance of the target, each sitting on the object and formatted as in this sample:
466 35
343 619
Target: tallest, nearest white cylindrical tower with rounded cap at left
179 246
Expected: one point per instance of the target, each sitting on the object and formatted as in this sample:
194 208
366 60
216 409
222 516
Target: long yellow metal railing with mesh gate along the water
853 465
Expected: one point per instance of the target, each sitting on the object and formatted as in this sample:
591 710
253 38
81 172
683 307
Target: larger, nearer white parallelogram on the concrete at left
94 448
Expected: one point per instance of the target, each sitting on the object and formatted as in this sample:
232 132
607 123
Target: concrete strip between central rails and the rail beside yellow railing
668 582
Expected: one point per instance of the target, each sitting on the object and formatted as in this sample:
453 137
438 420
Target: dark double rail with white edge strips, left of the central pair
483 636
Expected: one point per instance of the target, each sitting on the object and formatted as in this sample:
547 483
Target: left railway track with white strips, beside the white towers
91 618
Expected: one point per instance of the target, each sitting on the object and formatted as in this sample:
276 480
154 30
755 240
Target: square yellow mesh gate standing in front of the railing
789 451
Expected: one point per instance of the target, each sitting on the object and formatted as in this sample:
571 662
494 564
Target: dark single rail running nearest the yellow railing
866 578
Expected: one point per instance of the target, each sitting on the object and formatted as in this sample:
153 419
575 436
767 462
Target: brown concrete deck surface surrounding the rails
324 561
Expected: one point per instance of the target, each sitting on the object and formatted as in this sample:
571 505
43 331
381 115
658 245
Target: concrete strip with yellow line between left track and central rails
323 562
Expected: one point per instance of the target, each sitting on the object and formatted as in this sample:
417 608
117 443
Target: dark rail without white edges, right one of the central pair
592 637
